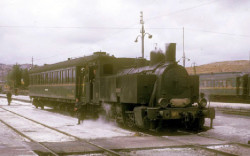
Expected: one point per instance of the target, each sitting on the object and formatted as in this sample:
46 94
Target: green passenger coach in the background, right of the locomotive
227 86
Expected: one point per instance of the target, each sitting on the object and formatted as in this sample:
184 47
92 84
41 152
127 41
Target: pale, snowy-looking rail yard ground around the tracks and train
227 128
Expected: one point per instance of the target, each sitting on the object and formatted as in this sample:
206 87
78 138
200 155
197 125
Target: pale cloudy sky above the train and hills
51 31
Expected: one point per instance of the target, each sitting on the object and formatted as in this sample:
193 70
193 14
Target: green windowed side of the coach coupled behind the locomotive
58 84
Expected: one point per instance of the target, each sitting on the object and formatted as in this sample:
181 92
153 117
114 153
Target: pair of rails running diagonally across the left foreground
48 149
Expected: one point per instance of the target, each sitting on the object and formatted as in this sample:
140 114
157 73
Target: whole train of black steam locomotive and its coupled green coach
138 92
